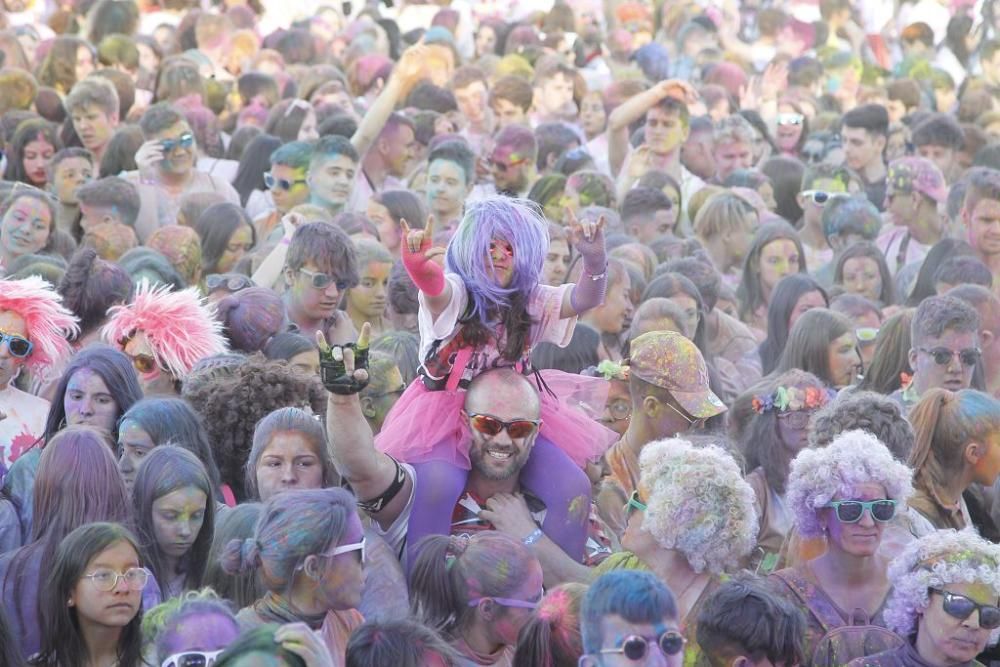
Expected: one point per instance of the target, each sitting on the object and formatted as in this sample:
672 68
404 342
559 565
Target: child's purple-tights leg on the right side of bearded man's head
565 489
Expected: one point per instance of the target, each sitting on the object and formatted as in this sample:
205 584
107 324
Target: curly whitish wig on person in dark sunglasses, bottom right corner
933 561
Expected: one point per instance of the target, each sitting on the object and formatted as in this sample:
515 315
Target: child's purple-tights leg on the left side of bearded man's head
439 485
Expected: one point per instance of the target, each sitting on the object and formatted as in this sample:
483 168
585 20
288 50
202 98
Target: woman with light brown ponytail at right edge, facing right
957 445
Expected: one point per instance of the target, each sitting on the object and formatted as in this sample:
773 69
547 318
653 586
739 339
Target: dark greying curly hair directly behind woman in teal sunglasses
866 410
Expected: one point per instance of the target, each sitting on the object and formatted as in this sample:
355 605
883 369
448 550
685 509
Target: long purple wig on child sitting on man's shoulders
514 220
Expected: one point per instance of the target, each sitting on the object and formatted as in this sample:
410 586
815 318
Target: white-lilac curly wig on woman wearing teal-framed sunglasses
854 457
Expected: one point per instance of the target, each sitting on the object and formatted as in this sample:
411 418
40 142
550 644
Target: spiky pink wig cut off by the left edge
48 322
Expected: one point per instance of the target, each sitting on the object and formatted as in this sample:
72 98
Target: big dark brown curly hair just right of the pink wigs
231 404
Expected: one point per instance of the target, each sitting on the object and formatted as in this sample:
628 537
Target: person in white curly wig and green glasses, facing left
691 519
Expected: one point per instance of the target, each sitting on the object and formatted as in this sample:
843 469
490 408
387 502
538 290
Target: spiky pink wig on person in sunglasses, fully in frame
180 328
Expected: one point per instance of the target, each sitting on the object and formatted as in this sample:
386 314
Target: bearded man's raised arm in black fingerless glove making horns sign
370 473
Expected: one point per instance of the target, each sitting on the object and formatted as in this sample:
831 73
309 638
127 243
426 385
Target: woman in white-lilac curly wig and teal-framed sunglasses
847 492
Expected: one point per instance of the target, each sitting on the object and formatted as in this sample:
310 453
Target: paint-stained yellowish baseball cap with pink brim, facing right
670 361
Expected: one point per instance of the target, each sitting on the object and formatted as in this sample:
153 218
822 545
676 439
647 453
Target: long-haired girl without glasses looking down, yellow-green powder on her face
174 517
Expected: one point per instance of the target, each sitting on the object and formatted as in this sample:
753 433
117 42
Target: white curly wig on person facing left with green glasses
698 503
